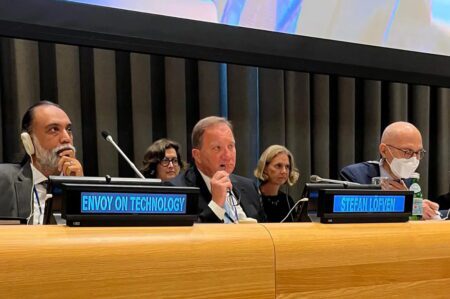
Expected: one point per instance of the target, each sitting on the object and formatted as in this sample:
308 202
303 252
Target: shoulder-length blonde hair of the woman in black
266 158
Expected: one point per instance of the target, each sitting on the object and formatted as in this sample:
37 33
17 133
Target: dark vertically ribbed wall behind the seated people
327 121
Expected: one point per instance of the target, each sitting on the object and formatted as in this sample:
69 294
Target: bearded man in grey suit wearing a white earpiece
48 141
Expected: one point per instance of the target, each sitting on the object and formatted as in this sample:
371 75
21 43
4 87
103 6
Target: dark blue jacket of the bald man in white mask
361 172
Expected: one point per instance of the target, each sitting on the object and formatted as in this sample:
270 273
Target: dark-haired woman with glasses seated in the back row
162 160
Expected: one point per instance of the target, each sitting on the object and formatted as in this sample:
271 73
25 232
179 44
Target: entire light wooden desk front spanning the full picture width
304 260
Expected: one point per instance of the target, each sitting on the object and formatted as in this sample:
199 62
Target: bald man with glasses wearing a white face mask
401 150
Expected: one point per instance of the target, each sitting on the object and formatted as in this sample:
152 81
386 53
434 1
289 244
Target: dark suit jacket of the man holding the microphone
244 188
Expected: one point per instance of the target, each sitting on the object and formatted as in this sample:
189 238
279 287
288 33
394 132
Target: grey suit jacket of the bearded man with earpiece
15 185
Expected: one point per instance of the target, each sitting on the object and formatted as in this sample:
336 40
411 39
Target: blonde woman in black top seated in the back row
276 167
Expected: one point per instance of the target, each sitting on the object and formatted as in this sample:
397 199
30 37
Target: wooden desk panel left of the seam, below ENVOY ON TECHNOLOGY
204 261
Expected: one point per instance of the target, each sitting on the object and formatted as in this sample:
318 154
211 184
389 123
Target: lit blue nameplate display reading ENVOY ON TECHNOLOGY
132 203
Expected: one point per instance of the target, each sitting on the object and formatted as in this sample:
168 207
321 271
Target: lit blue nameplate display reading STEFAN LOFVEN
369 204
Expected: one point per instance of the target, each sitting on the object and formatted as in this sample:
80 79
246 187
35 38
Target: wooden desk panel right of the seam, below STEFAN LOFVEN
362 260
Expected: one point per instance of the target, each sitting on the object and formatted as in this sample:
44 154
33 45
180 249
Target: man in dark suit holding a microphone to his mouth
224 197
